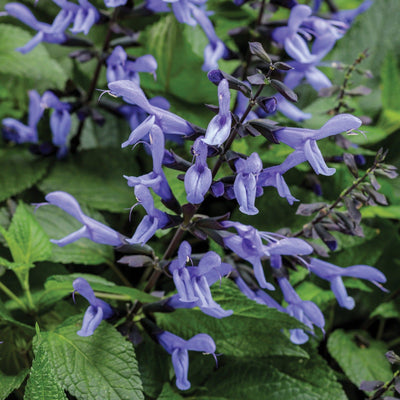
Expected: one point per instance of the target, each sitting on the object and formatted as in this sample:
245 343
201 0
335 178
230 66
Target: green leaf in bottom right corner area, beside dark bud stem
359 361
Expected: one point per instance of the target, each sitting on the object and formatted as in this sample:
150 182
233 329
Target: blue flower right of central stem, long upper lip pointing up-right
304 141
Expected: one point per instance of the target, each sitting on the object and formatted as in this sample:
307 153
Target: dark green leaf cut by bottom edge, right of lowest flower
275 378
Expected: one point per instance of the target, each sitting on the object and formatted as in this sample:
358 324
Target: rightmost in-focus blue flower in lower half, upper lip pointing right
334 274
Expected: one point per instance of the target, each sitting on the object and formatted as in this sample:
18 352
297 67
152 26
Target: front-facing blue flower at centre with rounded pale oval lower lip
198 177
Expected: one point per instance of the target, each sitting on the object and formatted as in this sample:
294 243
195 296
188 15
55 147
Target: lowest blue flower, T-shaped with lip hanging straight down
178 348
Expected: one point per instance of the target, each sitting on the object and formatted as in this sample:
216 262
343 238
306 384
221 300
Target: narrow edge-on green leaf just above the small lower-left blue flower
61 285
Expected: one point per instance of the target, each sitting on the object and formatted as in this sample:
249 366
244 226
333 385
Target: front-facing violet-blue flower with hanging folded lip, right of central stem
245 185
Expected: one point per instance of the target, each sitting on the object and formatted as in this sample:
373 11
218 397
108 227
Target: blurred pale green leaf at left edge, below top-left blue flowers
42 68
